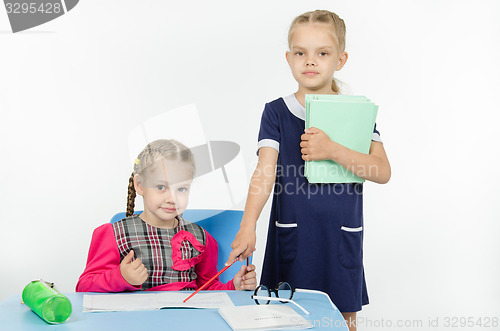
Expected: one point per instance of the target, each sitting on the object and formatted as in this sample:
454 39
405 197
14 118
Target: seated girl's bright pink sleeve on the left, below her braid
102 273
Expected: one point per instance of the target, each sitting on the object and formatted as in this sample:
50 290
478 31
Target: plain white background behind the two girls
72 90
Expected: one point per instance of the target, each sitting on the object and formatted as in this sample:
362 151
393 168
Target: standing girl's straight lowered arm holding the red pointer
260 188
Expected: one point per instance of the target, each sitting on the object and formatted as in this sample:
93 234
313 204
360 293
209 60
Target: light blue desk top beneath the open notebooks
16 316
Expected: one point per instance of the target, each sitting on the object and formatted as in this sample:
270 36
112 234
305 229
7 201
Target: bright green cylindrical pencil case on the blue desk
48 303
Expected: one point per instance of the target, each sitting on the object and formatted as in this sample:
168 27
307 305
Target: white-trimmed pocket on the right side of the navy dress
351 247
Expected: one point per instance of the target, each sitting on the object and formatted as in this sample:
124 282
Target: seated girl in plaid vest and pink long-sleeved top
157 250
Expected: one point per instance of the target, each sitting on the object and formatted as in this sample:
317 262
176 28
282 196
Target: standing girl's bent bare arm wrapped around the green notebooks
375 167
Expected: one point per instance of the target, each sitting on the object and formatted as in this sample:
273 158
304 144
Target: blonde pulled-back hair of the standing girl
327 17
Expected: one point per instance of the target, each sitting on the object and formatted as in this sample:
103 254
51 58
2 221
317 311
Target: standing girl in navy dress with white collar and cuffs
315 230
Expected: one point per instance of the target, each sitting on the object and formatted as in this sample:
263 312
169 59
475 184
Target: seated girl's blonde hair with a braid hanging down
159 149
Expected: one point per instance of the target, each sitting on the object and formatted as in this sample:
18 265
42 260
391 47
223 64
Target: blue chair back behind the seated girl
221 224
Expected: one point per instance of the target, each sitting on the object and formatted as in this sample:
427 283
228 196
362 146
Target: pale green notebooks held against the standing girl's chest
348 120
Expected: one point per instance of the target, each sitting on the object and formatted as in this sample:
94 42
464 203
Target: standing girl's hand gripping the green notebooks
316 145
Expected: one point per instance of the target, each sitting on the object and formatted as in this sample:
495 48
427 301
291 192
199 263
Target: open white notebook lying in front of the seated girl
152 301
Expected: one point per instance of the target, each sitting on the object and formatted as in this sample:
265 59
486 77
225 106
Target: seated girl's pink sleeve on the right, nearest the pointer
207 267
